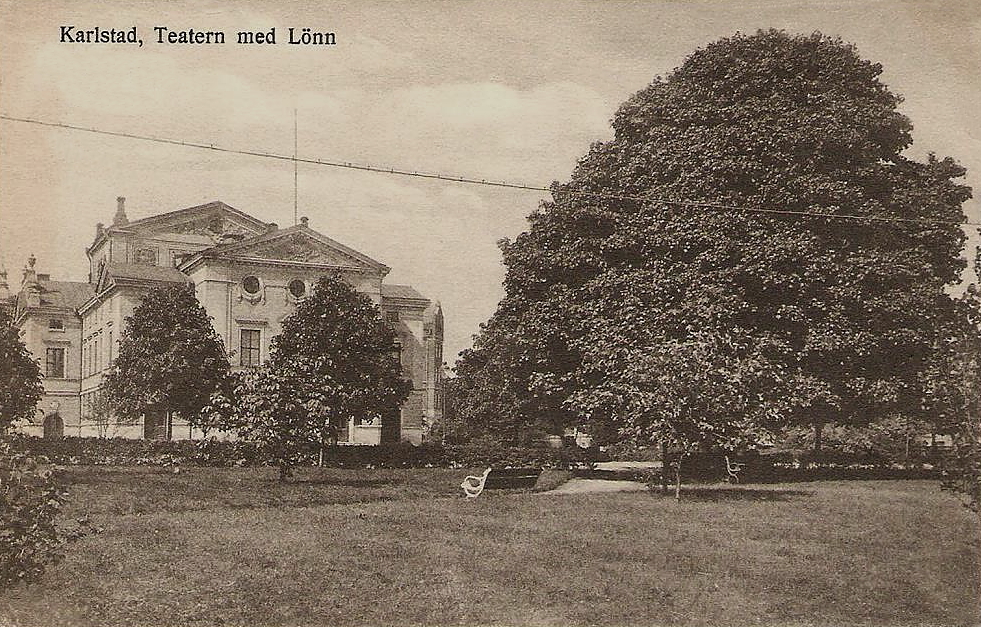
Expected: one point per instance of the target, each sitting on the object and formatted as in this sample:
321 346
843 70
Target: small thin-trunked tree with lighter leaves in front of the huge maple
710 391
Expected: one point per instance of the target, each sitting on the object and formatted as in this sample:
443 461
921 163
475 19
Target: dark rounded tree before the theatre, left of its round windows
170 359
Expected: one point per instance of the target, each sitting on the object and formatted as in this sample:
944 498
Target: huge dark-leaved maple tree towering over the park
621 273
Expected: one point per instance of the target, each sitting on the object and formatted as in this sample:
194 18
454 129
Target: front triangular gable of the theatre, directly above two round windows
298 244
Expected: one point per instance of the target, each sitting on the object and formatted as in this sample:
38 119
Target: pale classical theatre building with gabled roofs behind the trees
248 275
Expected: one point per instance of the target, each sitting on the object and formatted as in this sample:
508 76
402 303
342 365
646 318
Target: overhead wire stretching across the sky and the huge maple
480 181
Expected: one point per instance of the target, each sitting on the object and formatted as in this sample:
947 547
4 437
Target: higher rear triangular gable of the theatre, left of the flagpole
211 220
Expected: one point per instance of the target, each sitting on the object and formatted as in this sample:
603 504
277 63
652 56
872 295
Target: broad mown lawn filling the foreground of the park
380 547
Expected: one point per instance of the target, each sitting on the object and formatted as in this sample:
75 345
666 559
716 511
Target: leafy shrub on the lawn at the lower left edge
30 499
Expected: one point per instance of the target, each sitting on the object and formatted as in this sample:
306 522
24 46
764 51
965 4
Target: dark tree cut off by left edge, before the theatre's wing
20 376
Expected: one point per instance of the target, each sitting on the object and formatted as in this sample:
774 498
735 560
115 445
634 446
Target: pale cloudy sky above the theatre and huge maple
513 91
